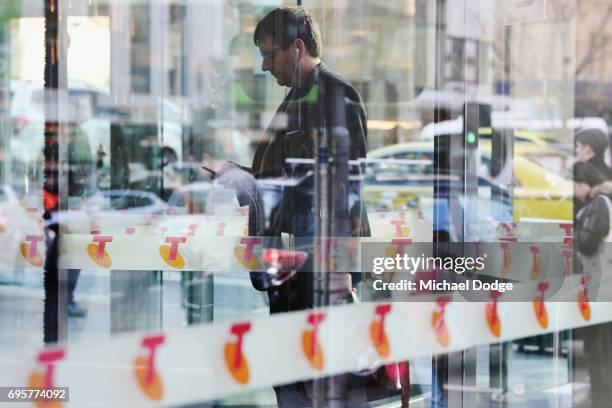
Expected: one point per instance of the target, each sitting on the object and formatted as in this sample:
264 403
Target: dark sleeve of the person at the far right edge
592 226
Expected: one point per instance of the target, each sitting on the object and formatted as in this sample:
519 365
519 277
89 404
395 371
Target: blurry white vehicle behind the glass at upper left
90 109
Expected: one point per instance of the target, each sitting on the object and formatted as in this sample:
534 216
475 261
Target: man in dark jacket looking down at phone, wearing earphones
290 44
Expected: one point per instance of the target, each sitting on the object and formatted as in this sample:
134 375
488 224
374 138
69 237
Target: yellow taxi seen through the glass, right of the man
400 177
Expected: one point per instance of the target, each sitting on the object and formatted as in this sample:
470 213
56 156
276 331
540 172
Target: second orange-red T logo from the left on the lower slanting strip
147 375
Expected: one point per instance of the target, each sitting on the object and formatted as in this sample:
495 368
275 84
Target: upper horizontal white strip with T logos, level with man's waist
517 261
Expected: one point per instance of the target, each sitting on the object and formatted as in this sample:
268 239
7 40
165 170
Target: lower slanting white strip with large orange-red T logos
221 359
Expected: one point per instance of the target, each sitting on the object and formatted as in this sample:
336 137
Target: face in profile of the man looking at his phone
280 63
